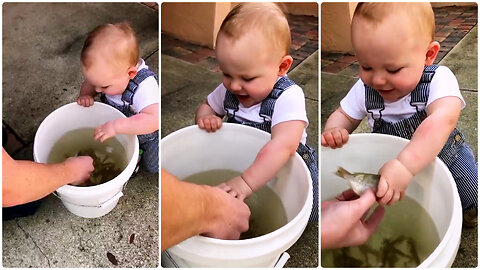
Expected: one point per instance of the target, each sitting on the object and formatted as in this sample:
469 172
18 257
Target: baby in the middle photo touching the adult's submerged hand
252 49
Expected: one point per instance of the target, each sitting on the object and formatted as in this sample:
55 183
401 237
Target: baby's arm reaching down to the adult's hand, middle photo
284 143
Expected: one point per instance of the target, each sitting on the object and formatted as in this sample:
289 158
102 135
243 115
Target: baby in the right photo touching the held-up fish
403 94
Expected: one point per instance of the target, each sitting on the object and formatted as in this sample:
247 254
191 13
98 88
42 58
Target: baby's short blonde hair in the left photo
117 43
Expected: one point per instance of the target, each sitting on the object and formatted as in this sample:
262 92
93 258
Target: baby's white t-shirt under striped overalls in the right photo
443 84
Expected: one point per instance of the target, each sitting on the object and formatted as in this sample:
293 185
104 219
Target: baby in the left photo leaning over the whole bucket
111 66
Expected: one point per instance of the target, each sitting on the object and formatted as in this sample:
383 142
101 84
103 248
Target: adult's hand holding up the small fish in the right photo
342 220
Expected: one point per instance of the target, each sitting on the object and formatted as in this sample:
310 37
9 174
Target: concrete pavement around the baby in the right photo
462 60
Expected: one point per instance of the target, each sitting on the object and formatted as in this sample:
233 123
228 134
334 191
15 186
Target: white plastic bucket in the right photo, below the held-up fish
434 187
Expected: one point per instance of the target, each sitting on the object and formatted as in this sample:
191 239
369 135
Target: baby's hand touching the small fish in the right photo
394 180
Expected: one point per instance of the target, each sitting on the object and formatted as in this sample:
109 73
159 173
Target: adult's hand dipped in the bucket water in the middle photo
229 216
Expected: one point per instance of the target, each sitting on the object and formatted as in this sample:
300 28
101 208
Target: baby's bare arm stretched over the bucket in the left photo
146 121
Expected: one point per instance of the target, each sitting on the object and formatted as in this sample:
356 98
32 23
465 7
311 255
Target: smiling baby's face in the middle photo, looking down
250 67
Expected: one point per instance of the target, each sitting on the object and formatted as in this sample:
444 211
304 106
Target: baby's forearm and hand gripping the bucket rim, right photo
337 129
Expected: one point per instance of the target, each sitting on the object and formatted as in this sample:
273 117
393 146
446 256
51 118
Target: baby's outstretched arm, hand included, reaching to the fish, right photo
427 141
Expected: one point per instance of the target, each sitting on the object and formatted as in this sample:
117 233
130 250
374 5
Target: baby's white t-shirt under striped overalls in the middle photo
289 106
